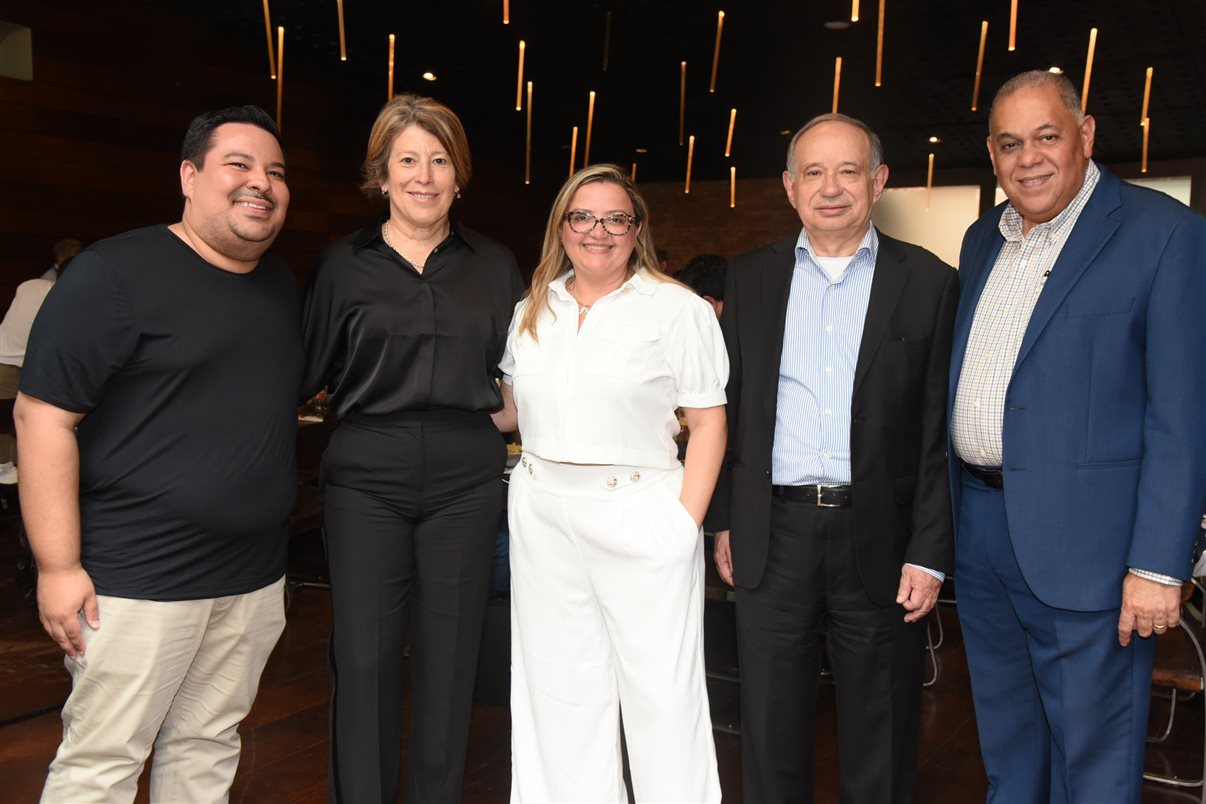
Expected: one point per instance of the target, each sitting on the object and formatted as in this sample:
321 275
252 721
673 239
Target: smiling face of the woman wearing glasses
598 254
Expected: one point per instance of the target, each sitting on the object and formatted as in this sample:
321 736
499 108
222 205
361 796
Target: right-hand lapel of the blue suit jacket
1092 232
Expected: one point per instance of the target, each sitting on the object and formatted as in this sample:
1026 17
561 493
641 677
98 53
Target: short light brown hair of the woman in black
428 114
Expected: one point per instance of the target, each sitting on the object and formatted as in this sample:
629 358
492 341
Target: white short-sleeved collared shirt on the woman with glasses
606 394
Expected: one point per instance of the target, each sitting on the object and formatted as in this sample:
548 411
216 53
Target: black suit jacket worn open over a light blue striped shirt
899 412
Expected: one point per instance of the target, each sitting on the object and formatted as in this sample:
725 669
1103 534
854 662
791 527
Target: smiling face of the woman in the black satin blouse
421 183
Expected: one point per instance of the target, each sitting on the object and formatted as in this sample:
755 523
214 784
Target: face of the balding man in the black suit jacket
834 187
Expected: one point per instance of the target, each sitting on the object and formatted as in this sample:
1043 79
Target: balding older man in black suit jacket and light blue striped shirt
834 508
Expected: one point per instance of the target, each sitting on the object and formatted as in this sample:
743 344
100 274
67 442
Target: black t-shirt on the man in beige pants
189 378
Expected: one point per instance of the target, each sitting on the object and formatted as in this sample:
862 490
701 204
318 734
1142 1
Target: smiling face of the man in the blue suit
1039 152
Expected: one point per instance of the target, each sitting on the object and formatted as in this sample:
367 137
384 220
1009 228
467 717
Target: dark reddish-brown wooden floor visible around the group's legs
285 738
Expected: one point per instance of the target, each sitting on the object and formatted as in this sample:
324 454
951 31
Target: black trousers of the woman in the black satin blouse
412 507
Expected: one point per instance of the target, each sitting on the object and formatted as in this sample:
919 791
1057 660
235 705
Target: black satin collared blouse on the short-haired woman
384 339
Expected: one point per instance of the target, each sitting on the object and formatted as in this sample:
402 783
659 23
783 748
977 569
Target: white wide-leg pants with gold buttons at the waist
607 613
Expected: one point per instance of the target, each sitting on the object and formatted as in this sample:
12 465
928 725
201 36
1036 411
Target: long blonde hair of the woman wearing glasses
554 261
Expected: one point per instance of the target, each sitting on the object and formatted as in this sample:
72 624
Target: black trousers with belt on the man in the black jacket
812 584
